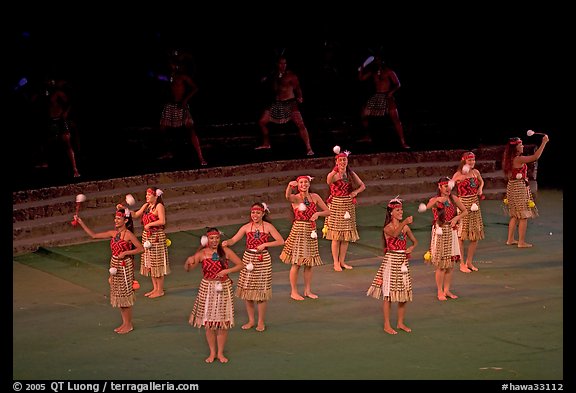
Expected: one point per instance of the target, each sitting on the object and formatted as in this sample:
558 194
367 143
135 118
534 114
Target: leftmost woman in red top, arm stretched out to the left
124 245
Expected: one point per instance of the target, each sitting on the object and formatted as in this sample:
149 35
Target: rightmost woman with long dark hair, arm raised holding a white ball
518 195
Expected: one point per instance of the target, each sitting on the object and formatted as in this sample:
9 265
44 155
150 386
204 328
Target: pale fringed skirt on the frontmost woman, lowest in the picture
213 309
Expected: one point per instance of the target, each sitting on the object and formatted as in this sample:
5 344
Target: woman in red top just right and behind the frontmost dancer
255 282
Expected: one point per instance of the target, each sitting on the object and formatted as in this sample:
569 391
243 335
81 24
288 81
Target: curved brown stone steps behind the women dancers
222 195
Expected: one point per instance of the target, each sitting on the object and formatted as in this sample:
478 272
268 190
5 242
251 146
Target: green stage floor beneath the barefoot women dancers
506 325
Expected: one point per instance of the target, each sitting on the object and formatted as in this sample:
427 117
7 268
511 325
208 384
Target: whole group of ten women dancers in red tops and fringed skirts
456 219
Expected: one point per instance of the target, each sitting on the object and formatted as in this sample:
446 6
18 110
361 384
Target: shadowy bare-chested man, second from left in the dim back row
176 113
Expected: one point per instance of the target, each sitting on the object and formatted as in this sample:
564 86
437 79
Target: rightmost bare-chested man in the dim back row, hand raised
382 103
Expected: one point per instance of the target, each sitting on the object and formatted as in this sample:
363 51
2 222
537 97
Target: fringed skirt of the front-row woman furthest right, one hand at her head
392 281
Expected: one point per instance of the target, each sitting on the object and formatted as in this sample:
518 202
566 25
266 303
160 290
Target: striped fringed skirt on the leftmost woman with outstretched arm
121 289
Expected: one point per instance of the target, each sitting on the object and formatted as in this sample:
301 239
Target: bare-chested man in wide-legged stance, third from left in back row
288 95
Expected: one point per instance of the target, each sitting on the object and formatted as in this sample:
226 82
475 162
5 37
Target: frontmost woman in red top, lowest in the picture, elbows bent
214 305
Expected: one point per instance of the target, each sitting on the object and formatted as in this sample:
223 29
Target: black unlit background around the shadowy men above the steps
476 77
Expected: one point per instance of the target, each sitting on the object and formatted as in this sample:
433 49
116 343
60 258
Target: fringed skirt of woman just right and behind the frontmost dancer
256 284
